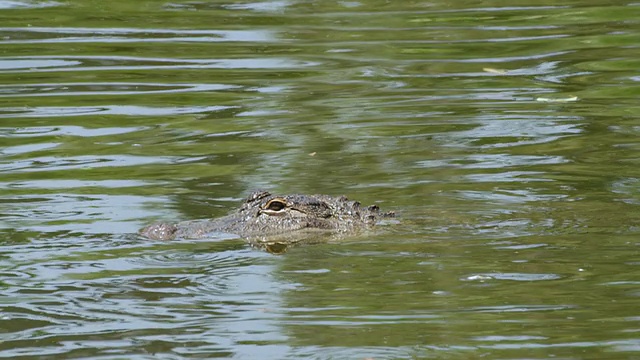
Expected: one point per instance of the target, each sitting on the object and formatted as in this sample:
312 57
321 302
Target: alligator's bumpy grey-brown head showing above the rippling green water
283 217
